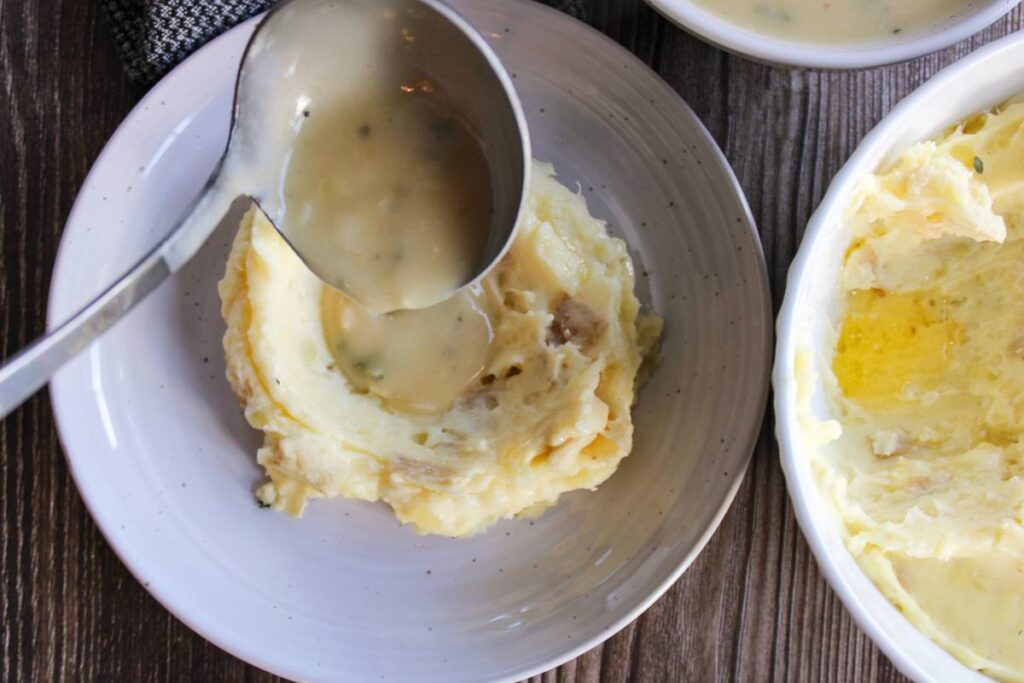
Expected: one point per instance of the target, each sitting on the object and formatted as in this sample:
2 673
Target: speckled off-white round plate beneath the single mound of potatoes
165 462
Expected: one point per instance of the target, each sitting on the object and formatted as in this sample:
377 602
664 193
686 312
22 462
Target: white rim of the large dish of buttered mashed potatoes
851 585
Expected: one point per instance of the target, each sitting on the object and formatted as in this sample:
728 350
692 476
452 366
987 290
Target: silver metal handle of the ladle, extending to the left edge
27 372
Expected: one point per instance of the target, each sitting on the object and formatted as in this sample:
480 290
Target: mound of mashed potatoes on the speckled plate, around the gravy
548 413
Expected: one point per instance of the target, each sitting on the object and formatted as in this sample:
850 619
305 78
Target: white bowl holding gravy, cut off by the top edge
976 16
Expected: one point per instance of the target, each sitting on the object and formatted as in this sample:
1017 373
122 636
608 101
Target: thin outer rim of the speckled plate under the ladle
192 70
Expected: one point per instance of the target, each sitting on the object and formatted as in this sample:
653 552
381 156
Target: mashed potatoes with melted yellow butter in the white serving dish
928 475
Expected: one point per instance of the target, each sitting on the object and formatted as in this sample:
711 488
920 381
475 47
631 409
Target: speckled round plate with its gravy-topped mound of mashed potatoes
486 533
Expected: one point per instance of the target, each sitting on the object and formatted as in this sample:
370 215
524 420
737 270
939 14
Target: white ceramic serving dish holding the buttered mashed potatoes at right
986 79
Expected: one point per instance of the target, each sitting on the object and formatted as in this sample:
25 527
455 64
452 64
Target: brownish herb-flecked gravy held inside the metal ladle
392 195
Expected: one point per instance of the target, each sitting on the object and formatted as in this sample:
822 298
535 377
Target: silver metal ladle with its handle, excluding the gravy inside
449 49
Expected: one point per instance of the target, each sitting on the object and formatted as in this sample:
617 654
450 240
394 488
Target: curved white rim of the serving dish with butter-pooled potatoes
788 430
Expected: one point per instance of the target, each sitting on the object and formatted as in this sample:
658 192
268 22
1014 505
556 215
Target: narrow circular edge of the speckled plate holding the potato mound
161 593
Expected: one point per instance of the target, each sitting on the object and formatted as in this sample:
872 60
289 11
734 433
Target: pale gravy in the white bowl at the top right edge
834 21
